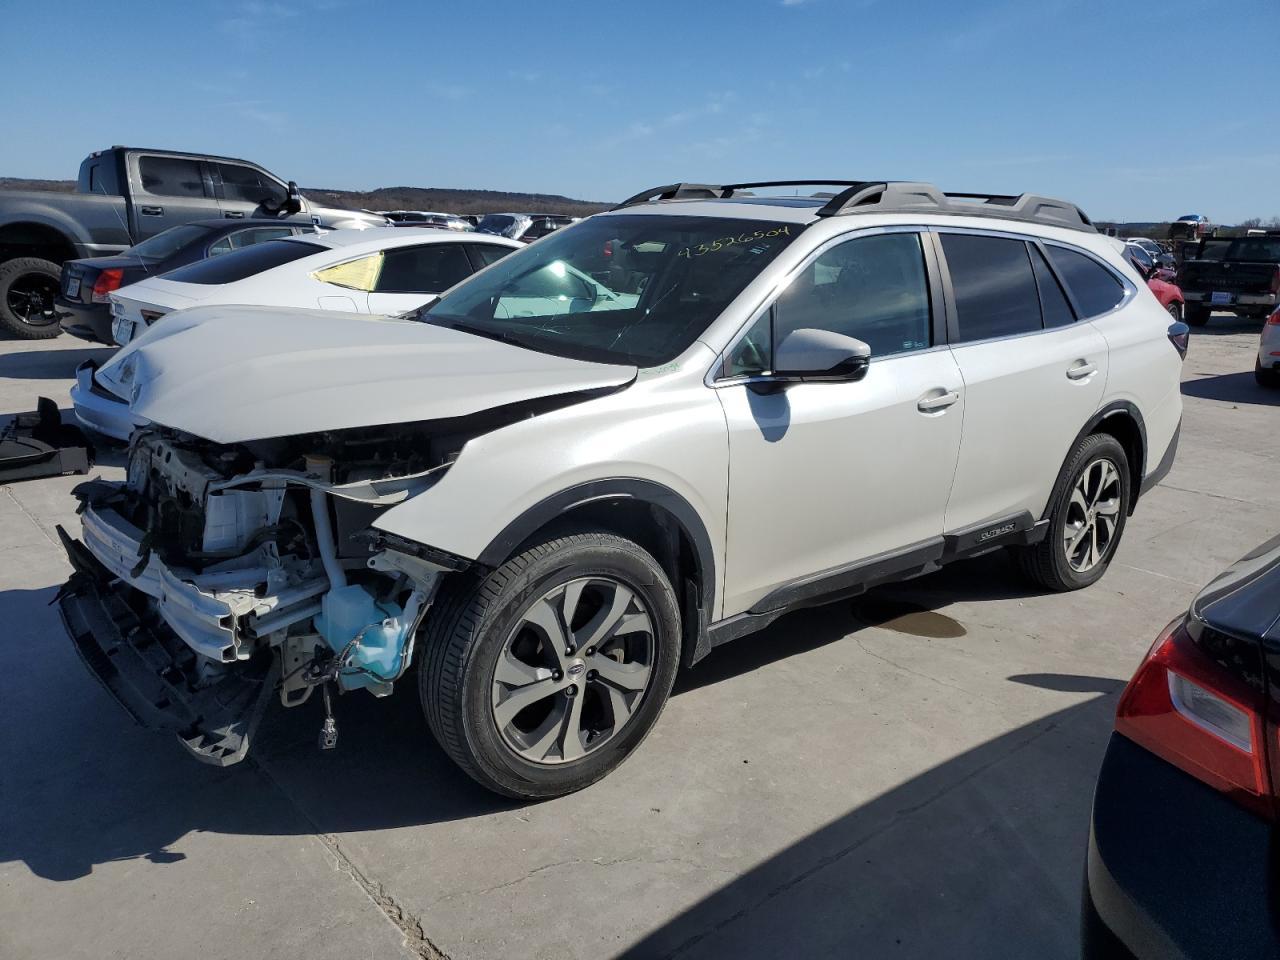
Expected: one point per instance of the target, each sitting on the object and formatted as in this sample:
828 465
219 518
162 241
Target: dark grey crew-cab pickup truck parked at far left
124 196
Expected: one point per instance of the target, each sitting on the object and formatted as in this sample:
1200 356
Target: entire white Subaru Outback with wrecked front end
604 456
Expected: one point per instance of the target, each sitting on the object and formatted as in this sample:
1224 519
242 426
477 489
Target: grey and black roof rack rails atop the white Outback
894 196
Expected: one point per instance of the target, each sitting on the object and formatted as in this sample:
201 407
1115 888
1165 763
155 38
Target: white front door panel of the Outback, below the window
828 474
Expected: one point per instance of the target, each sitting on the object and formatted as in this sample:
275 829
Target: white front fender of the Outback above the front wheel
661 441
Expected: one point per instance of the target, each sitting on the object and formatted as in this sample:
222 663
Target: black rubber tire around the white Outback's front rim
472 627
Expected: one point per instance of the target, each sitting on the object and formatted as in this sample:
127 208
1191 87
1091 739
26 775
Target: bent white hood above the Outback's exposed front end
235 374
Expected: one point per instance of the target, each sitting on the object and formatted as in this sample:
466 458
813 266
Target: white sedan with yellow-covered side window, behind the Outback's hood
382 271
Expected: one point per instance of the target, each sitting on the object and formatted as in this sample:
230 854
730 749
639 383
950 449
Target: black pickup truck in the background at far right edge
1235 275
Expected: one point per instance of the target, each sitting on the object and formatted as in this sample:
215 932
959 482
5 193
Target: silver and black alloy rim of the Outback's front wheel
574 670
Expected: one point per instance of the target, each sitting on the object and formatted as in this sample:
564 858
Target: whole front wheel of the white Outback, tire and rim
543 676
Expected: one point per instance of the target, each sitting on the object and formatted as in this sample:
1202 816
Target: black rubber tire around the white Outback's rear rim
1046 564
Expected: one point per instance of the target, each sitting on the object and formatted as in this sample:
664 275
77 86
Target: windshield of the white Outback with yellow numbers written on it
616 290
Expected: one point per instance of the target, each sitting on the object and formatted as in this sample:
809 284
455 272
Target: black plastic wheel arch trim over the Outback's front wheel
656 518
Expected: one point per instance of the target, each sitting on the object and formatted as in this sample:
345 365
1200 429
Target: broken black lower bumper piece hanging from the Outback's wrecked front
148 669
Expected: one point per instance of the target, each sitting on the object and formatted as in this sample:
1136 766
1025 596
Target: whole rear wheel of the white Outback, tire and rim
1089 511
